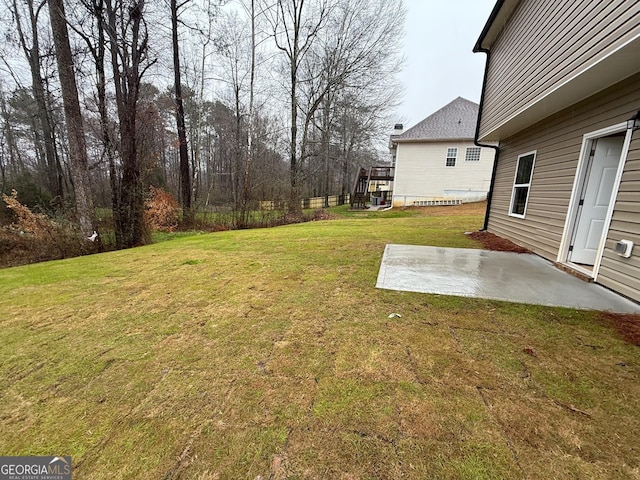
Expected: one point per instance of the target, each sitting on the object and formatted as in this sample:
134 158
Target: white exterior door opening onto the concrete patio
597 190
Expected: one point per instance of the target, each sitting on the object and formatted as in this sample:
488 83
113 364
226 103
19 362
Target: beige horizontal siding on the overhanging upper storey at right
545 43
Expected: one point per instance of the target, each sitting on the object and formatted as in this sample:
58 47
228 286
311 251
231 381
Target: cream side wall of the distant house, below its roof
421 173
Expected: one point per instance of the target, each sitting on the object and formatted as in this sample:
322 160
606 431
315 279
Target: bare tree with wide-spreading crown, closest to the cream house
357 52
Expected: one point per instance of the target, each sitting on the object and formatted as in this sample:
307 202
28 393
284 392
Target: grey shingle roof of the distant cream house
456 120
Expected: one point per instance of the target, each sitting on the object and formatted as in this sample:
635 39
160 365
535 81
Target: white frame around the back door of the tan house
578 185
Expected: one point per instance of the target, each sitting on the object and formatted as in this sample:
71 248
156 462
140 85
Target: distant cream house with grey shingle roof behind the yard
437 162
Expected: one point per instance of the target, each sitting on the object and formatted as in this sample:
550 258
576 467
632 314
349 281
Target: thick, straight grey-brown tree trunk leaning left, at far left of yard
73 117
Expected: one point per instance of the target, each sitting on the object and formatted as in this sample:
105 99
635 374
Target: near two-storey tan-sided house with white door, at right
562 81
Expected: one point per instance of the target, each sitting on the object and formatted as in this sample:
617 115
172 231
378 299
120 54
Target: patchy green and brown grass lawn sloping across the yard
270 353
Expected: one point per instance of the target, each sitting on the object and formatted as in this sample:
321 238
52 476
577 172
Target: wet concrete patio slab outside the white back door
513 277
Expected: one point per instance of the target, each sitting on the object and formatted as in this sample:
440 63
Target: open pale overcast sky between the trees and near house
440 65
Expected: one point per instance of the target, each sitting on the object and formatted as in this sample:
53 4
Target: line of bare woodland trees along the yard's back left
221 104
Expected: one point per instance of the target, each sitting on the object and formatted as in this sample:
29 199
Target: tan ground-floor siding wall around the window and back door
558 140
